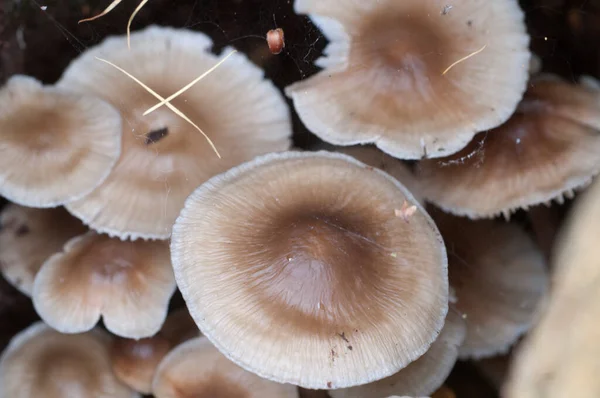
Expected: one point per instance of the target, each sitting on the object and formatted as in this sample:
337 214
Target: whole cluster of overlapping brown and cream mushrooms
345 270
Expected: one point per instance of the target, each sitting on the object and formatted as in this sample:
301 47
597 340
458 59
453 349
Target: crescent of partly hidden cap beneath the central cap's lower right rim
423 376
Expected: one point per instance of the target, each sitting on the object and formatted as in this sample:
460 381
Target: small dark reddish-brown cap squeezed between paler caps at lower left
135 361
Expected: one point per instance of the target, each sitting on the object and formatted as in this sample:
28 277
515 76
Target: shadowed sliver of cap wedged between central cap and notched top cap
373 157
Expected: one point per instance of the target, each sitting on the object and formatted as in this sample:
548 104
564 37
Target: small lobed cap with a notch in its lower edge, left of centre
128 284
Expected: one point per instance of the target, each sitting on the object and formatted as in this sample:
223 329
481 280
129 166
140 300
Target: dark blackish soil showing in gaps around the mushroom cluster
41 43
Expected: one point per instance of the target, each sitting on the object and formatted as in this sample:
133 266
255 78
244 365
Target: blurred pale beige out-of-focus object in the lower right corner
559 358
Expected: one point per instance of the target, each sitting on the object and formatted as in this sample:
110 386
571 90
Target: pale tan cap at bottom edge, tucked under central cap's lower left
197 369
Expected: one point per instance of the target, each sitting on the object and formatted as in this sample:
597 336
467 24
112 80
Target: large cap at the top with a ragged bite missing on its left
384 79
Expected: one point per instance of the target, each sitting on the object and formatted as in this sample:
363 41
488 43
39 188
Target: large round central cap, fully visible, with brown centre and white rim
297 268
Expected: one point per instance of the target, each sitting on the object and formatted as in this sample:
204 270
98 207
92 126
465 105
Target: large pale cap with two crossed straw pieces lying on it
164 158
